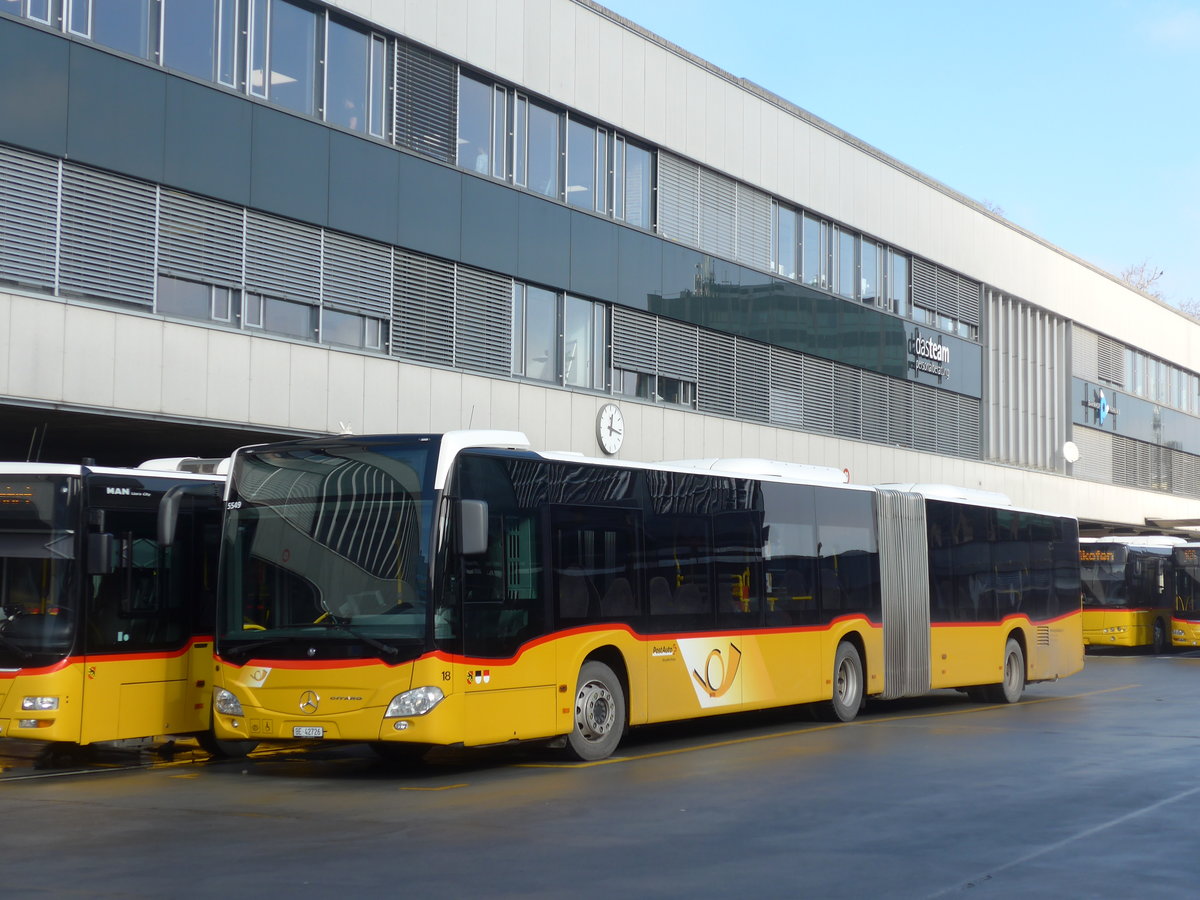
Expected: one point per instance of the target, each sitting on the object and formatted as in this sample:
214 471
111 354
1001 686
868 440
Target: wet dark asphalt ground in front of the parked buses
1088 788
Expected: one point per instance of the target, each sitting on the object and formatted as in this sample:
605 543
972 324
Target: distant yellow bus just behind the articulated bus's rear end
1129 591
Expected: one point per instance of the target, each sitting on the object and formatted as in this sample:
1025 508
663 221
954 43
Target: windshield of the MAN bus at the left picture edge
38 565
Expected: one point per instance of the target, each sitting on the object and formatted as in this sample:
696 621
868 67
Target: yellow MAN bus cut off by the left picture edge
107 591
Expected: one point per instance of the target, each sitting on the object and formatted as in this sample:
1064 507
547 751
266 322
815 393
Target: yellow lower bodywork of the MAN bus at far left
112 698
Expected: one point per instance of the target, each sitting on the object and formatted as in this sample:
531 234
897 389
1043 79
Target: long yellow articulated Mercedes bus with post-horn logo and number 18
461 590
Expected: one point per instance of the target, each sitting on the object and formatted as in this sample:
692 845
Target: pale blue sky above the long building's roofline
1079 121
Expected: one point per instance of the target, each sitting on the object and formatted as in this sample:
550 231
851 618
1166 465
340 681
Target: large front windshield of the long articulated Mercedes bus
328 550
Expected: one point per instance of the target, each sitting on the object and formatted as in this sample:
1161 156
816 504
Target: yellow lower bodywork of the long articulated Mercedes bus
667 679
